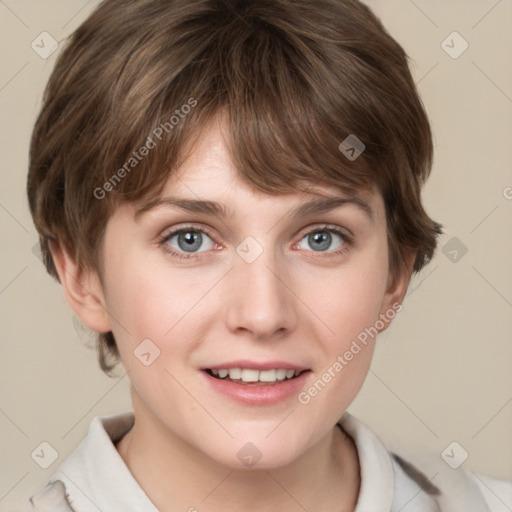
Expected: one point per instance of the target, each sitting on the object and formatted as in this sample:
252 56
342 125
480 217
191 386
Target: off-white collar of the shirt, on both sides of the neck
95 469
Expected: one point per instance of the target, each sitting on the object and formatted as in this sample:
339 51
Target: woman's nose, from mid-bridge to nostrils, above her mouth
260 298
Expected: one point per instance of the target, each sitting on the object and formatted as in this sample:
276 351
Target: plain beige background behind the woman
441 373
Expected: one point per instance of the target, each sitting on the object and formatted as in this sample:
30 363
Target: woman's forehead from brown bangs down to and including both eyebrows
207 181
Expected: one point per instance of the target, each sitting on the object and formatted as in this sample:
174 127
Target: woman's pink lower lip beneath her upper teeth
258 394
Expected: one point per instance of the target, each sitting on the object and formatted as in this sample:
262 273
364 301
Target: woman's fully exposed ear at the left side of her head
82 288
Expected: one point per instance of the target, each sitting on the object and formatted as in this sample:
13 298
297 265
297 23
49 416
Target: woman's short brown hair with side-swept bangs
295 78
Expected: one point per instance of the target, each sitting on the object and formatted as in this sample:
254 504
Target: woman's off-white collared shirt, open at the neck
94 477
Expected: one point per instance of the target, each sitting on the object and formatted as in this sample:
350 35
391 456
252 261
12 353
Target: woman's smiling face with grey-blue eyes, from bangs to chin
276 298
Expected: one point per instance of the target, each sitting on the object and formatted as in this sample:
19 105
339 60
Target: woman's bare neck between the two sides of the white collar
175 476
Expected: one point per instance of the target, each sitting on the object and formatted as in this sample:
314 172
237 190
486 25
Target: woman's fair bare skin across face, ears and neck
294 303
